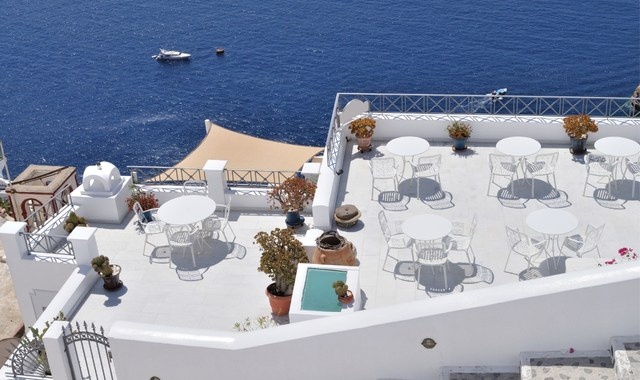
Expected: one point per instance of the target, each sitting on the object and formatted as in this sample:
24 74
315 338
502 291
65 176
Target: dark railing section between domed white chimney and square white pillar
163 175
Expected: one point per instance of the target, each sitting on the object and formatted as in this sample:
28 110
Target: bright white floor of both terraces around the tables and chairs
225 289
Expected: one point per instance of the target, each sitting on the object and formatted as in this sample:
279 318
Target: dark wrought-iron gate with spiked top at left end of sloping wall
88 352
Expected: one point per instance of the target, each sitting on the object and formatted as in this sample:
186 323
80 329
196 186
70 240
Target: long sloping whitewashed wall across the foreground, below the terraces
490 326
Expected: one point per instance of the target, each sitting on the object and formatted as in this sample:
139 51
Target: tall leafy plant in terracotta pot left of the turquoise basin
281 253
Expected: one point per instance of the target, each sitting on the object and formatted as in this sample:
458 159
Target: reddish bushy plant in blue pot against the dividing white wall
292 196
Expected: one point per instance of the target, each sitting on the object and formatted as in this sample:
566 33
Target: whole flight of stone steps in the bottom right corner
621 361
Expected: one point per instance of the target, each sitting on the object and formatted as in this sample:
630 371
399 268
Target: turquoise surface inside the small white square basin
318 293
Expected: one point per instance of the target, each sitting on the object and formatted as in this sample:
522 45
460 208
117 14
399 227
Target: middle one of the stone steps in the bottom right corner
595 364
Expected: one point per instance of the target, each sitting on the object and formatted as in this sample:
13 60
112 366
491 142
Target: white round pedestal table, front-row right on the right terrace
552 223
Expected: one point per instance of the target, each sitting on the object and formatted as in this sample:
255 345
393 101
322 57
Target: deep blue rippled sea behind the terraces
78 83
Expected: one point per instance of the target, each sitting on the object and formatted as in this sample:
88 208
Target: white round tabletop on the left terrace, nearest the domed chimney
187 209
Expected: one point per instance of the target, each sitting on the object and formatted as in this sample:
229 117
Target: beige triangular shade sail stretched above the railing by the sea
246 152
